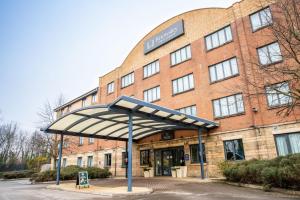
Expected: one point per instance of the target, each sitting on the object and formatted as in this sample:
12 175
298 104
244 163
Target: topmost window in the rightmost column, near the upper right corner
261 19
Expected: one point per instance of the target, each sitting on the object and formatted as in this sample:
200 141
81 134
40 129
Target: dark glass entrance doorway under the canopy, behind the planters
165 159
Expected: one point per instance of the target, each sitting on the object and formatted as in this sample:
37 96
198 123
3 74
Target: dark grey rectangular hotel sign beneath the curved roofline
163 37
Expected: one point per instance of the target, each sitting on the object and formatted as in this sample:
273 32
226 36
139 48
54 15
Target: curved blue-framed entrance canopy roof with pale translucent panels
111 121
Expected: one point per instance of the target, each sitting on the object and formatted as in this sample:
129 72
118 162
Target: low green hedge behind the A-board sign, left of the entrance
70 173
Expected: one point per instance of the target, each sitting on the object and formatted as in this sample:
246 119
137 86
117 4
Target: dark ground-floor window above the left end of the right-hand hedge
234 150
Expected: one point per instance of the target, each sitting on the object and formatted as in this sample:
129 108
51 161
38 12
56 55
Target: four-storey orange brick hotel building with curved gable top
200 70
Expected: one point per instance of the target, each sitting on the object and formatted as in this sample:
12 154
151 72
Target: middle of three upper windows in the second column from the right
223 70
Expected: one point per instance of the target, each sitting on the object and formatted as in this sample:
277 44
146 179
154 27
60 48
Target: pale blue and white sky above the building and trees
54 47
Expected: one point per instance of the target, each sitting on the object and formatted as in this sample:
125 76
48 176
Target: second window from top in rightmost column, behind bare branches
269 54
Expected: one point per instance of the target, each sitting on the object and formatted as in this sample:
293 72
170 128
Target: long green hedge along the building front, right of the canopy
283 171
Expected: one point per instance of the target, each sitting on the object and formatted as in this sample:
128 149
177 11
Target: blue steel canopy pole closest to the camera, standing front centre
129 179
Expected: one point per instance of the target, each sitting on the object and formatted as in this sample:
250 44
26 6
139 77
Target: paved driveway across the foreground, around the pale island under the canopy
163 189
